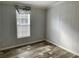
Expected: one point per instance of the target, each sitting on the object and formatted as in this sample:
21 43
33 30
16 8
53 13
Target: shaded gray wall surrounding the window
8 26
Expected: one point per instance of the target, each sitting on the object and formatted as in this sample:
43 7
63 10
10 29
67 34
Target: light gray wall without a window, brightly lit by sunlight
63 25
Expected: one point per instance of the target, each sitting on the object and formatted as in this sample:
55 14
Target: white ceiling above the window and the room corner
39 4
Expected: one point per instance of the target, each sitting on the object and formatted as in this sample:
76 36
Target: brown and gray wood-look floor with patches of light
37 50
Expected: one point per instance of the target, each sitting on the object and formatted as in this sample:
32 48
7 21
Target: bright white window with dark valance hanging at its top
23 23
